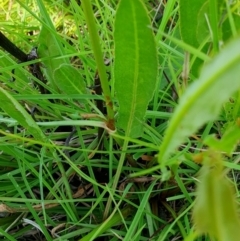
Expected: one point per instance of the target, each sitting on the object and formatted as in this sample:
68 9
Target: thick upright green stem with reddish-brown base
87 8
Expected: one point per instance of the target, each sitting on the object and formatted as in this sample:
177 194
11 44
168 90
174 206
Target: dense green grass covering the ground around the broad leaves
61 177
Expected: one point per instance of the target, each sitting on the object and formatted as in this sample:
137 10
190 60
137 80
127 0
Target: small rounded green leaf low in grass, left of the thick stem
69 80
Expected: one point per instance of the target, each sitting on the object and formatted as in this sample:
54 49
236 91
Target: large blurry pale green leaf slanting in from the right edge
202 101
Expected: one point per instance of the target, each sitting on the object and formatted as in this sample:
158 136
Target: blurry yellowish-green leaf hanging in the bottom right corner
215 211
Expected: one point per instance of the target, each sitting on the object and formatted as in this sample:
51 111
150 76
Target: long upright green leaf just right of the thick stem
135 64
